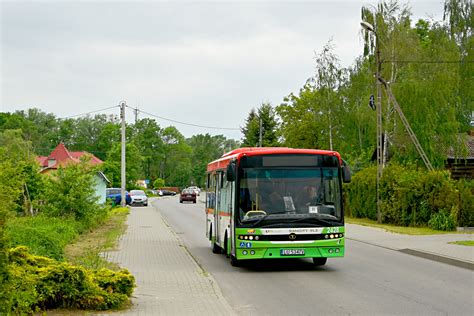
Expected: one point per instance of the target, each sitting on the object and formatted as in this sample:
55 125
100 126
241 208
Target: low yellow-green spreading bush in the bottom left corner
40 283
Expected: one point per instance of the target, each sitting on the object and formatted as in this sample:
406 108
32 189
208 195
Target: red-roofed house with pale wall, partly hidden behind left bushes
62 157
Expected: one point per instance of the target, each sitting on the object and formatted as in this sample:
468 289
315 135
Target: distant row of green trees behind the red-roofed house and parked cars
152 152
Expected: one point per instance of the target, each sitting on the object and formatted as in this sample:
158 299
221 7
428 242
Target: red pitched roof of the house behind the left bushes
61 157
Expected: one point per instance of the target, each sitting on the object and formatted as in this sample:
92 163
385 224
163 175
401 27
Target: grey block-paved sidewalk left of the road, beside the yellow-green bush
169 282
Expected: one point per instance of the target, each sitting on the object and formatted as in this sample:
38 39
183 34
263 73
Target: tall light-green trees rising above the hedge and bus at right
425 66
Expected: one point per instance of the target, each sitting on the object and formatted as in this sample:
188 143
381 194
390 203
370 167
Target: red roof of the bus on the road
222 162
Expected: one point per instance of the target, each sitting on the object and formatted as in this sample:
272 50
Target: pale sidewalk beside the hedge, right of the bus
433 247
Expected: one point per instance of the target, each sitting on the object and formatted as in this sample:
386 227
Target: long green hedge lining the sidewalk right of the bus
412 197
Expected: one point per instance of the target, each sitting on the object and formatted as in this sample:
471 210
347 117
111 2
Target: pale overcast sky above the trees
205 63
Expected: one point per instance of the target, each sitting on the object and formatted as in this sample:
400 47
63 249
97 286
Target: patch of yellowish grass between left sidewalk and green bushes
88 249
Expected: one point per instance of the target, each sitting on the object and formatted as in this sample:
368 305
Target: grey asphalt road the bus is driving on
369 280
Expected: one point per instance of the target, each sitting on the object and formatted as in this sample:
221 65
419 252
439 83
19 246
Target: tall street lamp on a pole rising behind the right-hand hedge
369 27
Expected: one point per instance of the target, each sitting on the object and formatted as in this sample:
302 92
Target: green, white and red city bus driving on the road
276 202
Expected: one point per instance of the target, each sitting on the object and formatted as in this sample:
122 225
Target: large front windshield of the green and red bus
308 195
